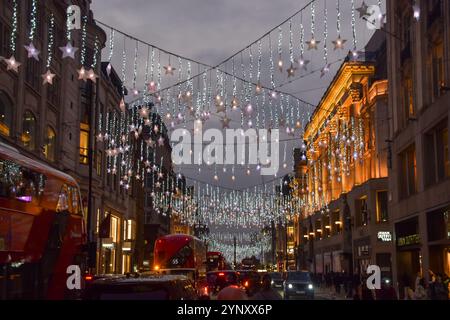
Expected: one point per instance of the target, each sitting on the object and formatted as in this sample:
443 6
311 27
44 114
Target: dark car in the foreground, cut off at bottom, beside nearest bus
142 287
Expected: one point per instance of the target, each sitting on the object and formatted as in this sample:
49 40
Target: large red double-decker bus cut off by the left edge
42 230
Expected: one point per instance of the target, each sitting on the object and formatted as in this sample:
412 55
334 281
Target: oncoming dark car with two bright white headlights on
298 284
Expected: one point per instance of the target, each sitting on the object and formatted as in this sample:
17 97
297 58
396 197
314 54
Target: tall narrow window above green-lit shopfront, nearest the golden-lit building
408 172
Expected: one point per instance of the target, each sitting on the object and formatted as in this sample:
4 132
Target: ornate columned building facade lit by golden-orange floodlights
341 173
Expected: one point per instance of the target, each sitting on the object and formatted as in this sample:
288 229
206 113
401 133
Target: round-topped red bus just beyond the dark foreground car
179 251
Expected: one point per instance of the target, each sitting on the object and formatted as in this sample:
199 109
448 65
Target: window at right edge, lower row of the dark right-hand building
437 164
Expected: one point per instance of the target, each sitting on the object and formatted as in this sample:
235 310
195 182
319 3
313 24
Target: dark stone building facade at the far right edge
419 184
